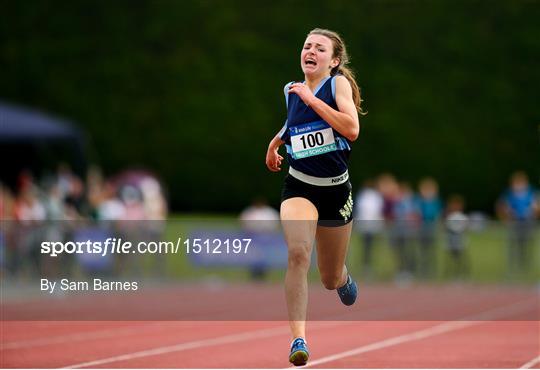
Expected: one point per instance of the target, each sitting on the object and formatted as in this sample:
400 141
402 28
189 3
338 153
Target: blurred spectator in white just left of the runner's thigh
259 217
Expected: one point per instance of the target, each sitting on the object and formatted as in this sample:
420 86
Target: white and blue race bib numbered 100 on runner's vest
312 139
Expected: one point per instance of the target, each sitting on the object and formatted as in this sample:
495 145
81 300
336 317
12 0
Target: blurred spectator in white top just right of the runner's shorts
369 221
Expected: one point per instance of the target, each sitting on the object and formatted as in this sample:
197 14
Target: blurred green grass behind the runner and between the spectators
486 252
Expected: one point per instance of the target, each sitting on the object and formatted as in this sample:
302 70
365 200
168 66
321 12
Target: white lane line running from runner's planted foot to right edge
429 332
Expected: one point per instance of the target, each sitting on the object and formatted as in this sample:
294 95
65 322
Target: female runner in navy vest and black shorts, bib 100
322 121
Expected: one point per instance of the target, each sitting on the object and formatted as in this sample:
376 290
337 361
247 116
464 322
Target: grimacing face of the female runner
316 57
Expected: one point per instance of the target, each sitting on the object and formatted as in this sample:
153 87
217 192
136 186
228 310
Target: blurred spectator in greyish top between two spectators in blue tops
456 223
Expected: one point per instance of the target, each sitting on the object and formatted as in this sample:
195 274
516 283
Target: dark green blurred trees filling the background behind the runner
193 89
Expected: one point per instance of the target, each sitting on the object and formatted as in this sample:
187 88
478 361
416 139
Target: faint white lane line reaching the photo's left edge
76 337
